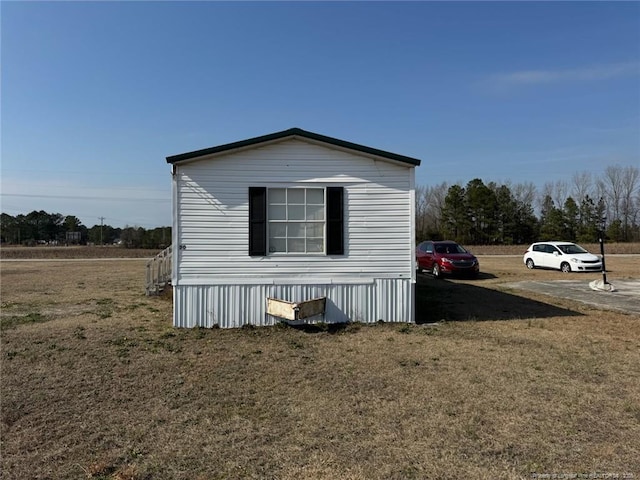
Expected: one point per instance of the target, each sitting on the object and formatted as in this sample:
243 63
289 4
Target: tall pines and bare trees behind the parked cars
493 213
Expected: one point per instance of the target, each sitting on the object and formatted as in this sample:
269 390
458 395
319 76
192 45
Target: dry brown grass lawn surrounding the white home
97 384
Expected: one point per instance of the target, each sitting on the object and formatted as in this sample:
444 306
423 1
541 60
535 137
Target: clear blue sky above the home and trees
95 95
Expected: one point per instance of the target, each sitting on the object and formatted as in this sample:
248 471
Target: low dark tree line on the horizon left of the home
42 228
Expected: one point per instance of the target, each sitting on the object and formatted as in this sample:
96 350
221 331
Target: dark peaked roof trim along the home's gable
297 132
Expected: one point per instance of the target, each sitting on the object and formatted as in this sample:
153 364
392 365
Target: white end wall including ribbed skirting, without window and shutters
216 282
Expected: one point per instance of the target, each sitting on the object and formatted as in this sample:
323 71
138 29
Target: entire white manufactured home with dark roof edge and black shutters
292 226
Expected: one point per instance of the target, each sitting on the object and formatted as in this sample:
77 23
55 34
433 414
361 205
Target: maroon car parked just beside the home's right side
446 258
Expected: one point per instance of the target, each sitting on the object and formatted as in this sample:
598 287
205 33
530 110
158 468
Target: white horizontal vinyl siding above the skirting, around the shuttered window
211 222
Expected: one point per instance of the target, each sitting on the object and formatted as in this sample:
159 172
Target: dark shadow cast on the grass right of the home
438 300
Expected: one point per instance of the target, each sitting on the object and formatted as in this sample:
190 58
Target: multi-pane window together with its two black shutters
296 220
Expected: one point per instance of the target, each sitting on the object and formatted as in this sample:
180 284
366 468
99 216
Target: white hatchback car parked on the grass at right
564 256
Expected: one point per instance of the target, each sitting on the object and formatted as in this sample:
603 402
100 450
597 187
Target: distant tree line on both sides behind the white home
474 214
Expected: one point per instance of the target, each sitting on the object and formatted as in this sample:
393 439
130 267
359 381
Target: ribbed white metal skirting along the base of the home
230 306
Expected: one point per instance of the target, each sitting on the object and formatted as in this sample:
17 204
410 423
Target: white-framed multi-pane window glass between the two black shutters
296 220
